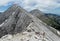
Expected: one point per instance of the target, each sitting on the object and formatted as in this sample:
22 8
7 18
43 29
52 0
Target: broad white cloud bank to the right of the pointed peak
41 4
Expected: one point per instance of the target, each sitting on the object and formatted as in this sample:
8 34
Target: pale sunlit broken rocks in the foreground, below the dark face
30 34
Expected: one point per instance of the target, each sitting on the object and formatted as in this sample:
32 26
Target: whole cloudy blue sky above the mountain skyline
49 6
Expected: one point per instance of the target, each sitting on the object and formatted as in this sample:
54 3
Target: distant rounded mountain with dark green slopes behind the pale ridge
50 19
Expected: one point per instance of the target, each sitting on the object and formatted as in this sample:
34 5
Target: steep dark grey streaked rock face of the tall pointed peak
16 22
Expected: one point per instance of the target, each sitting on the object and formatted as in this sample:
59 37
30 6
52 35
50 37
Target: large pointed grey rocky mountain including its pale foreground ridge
20 25
